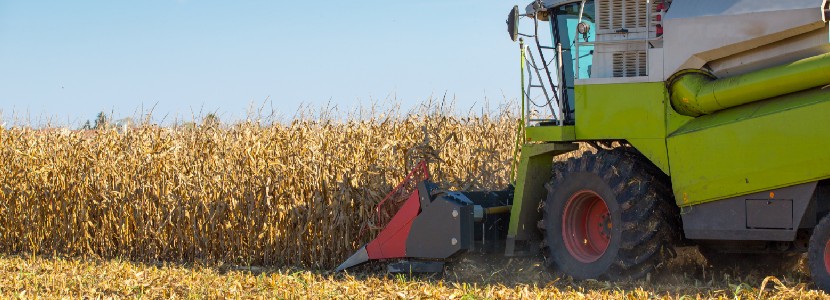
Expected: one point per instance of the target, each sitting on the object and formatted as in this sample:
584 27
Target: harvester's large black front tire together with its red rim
628 237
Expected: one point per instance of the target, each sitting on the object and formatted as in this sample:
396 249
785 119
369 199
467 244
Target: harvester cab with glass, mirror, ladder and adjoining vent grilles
575 41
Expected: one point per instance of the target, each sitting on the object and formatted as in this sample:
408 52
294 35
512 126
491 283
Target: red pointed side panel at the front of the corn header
391 241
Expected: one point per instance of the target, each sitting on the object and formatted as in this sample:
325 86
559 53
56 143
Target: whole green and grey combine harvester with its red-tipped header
711 124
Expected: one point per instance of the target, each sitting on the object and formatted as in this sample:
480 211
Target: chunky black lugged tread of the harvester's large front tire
647 209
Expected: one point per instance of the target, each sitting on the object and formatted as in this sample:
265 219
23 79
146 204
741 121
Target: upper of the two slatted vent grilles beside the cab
617 14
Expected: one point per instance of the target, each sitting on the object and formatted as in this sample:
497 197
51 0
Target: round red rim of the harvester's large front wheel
586 226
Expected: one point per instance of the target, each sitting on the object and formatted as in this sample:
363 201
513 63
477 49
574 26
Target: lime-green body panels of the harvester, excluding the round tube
750 148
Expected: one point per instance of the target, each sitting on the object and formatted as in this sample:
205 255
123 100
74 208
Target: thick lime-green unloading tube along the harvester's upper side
695 93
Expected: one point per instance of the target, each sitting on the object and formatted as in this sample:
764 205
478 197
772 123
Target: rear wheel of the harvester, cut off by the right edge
818 254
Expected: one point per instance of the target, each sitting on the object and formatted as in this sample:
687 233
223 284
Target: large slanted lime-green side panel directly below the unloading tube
756 147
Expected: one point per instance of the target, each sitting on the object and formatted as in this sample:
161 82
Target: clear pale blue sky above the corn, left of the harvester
69 60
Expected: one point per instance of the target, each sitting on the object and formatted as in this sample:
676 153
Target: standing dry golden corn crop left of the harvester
301 193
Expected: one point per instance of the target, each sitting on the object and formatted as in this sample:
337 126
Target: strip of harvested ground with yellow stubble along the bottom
30 277
